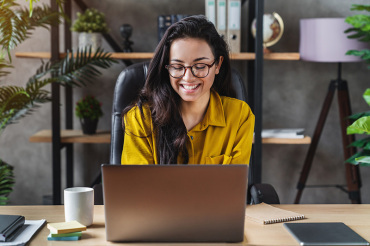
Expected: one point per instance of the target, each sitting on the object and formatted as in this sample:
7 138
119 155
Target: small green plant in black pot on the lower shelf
88 110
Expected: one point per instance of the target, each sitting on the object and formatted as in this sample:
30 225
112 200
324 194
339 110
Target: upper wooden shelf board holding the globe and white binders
147 55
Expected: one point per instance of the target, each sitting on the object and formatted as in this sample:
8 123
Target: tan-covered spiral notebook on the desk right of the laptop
266 214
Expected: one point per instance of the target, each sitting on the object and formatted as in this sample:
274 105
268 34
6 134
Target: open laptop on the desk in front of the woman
174 203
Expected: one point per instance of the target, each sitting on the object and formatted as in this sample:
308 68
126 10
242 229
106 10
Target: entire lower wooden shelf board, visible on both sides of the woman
76 136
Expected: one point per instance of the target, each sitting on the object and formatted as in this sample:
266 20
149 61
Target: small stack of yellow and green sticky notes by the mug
65 231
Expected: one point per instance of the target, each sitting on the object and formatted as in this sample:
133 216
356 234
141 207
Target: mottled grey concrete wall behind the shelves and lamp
293 92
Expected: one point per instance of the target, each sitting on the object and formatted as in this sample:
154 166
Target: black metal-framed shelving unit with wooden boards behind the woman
66 138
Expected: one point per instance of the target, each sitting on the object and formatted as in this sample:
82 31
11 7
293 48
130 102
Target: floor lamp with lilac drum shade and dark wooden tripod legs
324 40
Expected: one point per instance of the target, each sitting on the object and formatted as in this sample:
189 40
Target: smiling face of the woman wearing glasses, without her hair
187 52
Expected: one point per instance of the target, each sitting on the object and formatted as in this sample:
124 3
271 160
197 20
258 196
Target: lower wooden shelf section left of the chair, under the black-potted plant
71 136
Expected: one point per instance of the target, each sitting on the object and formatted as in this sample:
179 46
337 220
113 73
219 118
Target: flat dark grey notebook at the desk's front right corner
336 233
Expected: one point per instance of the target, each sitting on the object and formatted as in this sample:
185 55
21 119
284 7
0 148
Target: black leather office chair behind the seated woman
128 84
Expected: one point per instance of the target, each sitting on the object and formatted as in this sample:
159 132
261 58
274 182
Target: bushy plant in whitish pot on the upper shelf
90 25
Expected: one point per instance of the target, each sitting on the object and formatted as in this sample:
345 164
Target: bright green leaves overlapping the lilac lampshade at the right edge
360 30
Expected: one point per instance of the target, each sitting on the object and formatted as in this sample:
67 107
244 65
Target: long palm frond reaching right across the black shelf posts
76 69
